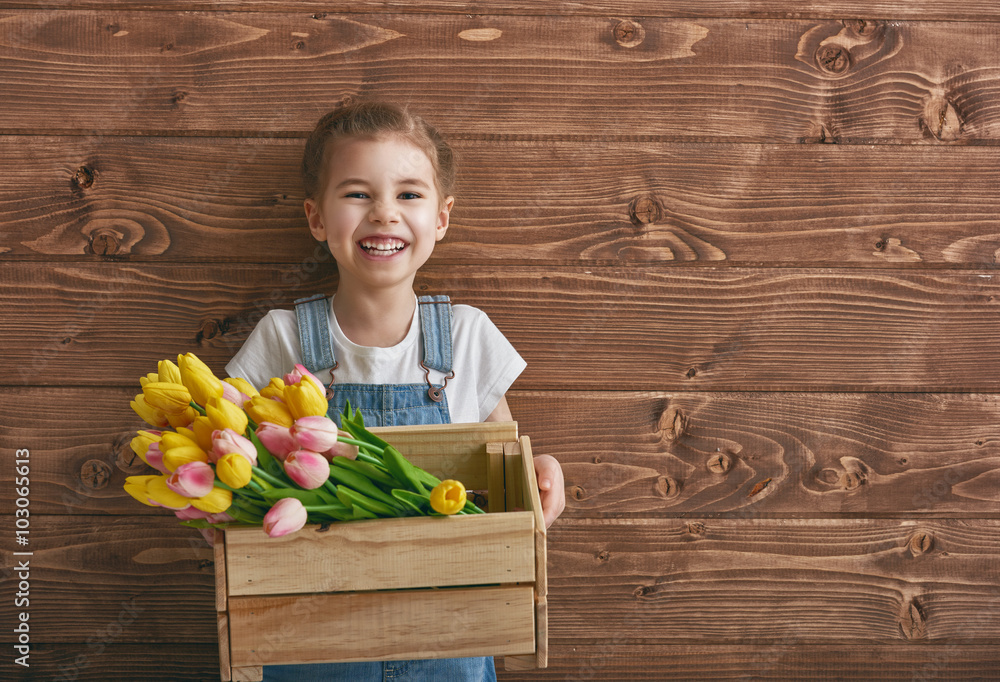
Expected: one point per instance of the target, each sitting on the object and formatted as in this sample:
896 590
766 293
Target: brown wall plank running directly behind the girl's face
239 200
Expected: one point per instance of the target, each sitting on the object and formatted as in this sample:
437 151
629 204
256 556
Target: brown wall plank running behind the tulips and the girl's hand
623 453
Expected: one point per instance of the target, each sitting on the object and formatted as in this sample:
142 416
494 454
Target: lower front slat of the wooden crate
375 626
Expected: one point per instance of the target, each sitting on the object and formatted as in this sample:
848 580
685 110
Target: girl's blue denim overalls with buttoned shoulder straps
384 405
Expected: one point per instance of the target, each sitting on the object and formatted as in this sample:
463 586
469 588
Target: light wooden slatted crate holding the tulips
388 589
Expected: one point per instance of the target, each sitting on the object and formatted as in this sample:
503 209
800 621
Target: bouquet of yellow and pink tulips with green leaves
270 457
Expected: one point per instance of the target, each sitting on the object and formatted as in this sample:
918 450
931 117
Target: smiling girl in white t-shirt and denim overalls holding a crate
379 184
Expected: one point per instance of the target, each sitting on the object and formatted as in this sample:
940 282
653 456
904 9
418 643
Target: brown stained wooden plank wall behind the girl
747 249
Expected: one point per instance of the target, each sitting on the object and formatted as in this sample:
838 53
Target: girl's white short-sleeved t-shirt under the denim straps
484 362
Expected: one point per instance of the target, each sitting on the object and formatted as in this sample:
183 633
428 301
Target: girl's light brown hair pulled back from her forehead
372 120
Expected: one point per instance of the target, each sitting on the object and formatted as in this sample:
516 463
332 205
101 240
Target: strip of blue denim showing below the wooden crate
433 670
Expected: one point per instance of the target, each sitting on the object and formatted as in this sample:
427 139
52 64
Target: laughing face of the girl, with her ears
381 213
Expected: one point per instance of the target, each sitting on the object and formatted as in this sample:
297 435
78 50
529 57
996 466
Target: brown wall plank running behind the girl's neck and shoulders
671 329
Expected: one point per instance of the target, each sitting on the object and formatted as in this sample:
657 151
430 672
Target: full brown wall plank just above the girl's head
681 79
